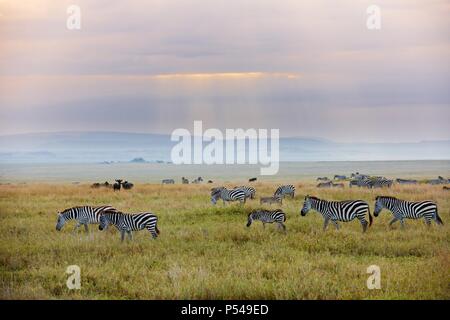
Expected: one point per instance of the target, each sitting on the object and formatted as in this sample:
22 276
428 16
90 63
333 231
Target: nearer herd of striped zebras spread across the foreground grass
331 211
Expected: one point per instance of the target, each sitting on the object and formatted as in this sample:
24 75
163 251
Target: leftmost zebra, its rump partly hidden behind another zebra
84 215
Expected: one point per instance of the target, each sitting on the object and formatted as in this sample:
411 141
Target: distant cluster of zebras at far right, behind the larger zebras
364 180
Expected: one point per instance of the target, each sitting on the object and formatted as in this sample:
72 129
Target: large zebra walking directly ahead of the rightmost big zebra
338 211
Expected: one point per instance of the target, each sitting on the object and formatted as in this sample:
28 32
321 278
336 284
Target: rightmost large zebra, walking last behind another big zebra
402 210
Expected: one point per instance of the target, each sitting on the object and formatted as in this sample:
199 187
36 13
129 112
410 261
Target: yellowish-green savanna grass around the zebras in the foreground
206 252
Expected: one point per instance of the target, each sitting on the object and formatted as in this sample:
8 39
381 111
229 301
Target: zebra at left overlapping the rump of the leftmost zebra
126 223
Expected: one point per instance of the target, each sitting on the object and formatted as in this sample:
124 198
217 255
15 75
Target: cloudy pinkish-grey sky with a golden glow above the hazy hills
308 68
